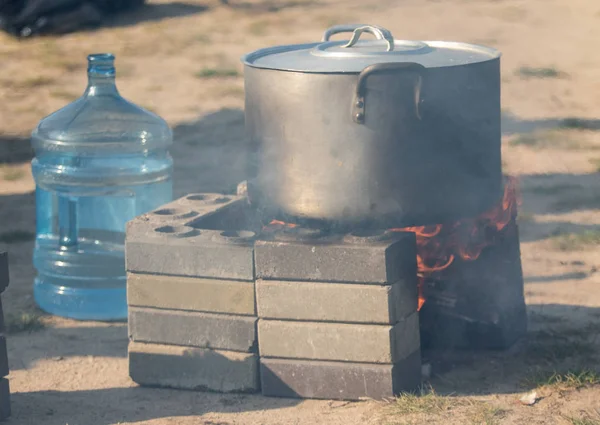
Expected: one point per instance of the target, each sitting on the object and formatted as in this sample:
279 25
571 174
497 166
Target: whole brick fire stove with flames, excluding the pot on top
223 301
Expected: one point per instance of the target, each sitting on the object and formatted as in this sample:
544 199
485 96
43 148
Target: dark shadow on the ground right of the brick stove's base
561 338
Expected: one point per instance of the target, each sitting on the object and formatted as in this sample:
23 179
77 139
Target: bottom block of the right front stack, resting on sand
339 380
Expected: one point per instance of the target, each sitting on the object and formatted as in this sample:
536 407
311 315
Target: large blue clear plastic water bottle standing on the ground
99 162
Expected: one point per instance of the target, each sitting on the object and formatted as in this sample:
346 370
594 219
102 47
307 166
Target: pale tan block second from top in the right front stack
335 302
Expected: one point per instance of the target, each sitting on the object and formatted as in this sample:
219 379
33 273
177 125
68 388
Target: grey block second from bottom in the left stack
217 331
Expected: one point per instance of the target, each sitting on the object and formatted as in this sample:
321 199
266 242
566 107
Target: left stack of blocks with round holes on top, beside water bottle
192 316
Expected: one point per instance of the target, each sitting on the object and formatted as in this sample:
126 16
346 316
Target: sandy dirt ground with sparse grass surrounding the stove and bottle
181 60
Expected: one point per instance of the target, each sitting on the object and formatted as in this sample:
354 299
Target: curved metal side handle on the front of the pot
358 107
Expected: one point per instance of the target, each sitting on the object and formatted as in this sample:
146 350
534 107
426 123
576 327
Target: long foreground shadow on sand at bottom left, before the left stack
132 405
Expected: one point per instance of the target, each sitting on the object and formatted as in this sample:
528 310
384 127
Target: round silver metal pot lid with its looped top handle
355 55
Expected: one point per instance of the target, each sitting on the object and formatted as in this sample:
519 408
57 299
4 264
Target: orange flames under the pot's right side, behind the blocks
438 246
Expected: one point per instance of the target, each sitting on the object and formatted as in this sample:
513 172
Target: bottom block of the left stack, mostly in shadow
193 368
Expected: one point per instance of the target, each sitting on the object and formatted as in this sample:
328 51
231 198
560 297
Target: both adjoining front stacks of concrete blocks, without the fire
332 316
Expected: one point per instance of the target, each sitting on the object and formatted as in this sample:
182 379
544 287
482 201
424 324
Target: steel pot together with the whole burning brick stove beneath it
375 224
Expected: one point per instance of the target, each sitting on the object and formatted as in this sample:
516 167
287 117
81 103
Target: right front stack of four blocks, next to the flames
338 319
